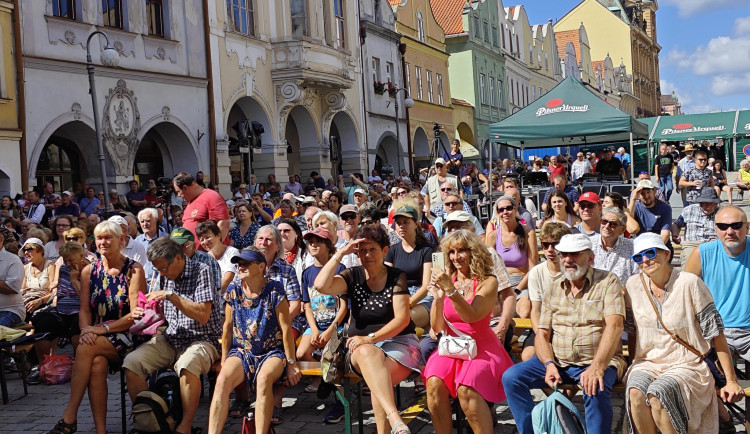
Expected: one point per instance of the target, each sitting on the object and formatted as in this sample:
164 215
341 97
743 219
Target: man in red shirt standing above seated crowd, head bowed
202 204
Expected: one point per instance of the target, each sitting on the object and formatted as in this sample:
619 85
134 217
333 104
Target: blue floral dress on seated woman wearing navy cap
256 334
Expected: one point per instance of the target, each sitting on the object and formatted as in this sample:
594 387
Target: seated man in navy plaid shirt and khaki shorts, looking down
190 343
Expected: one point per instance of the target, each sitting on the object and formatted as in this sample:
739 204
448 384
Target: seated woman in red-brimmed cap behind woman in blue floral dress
322 311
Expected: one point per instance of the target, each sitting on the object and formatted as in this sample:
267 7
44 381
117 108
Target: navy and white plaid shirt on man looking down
193 284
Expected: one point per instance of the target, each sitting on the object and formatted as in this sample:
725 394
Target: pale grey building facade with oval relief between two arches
152 107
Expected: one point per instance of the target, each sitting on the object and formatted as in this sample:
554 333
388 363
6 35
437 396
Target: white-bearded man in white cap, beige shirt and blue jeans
577 341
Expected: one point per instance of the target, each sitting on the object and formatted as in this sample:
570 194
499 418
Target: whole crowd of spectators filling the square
264 279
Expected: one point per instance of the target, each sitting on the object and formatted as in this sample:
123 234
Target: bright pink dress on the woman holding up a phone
485 372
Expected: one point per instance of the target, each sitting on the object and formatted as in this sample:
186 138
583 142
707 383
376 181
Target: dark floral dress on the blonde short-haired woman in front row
108 298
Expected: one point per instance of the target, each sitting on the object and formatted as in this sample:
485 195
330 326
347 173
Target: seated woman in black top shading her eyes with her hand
383 348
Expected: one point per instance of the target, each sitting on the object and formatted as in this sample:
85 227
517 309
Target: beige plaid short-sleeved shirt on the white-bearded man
577 322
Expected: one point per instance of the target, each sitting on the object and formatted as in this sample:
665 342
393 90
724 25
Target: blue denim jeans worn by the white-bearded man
519 379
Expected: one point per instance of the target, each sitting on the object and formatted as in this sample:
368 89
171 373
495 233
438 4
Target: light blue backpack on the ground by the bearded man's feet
557 415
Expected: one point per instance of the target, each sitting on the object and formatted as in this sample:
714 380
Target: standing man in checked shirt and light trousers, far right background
698 221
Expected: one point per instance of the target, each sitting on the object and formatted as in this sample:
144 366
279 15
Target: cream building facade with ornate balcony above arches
292 66
